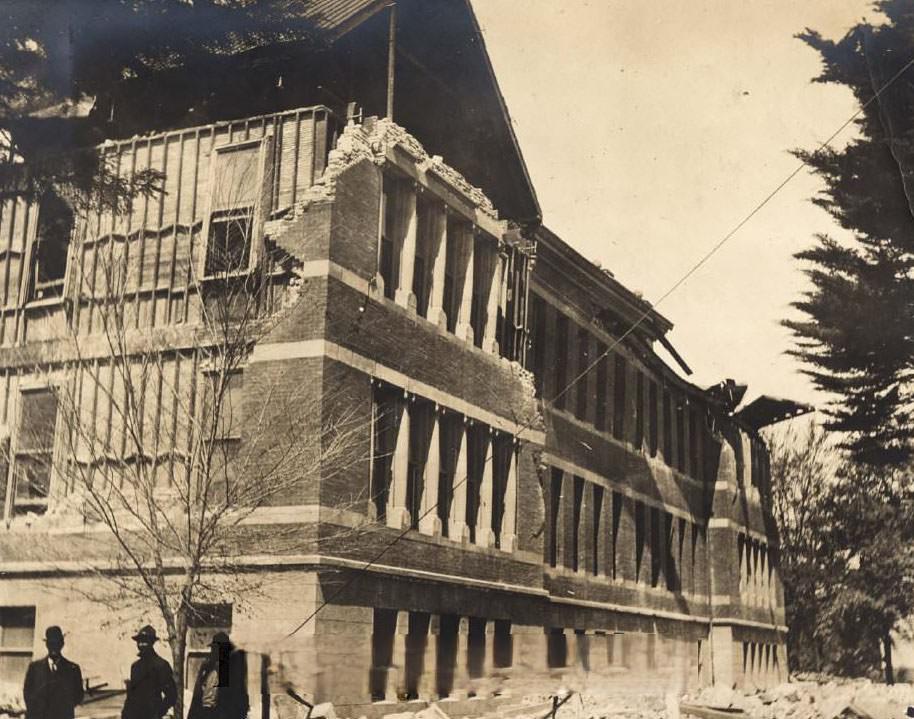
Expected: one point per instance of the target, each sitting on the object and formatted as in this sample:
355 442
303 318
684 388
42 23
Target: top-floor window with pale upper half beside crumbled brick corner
238 187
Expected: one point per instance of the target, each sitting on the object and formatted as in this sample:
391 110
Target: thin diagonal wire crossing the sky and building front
643 316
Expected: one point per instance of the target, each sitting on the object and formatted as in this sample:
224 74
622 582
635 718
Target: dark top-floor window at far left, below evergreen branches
49 253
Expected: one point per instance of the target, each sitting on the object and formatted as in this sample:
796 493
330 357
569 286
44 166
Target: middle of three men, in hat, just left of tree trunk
151 690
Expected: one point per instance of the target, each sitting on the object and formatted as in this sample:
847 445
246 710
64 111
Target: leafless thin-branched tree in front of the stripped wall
160 446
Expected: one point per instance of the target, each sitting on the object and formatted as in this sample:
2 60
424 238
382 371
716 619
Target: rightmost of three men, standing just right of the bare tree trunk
220 691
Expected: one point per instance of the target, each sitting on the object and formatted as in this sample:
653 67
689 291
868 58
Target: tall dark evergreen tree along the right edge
858 337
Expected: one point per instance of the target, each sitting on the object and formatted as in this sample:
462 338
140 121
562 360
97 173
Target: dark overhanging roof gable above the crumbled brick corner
444 91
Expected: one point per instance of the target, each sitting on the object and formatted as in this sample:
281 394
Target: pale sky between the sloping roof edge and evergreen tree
650 129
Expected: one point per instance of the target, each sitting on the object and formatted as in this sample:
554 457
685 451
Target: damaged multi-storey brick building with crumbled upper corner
552 496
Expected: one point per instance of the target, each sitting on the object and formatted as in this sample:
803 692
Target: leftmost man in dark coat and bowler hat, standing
53 685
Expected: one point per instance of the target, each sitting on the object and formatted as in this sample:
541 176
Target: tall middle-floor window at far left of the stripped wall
34 451
